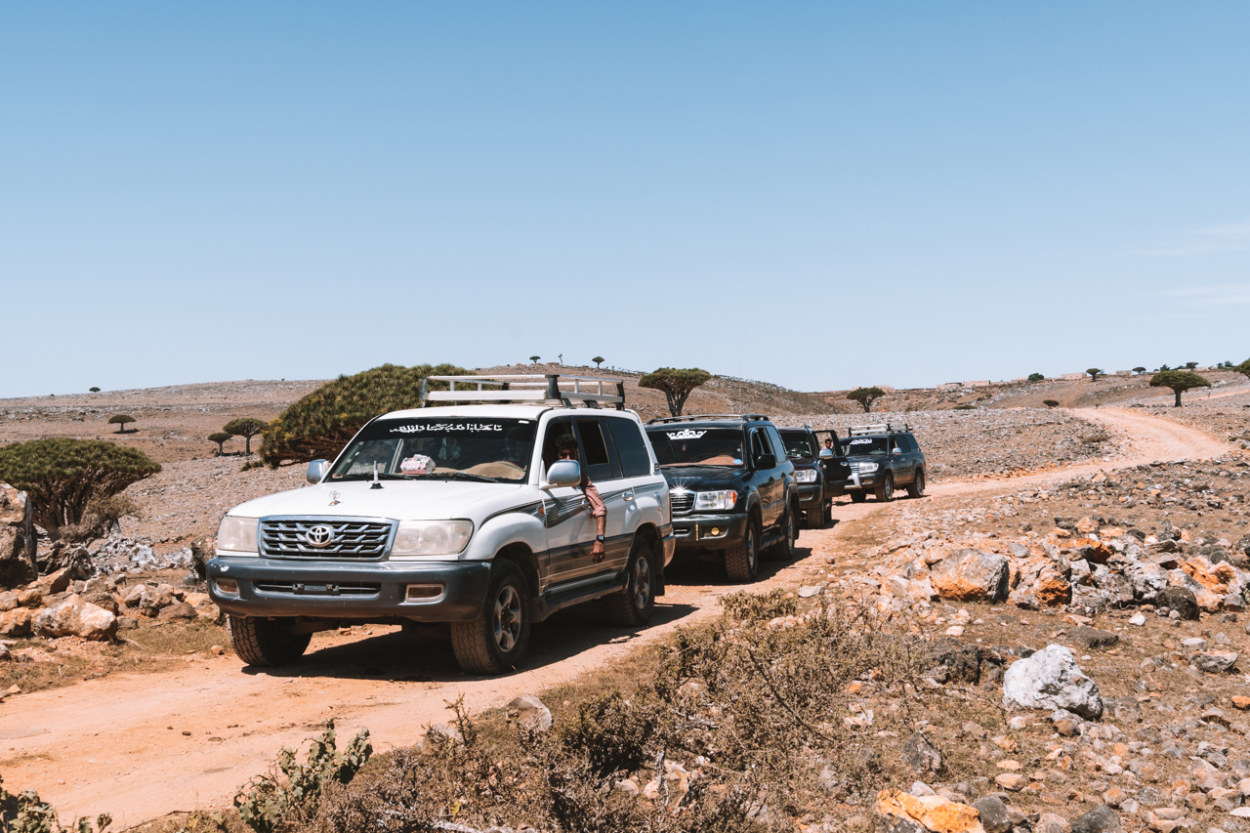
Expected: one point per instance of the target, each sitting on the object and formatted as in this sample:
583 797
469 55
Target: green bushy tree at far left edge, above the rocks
64 476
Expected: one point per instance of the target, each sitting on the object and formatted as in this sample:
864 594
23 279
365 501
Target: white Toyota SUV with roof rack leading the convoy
459 515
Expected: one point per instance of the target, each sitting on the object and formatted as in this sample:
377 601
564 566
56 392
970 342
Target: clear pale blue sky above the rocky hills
819 196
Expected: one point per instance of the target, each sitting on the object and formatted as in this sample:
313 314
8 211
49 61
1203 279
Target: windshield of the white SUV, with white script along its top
441 447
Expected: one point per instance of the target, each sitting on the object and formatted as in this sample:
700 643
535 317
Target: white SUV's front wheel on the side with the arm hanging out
497 641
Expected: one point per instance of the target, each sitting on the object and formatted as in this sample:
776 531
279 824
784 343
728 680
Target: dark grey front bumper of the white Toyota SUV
273 587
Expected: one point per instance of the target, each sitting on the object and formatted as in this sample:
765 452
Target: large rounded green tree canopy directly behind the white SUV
322 423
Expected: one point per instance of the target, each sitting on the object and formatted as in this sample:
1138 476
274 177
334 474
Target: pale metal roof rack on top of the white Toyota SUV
536 388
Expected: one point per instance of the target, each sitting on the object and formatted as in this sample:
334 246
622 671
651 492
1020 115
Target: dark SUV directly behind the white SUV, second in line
732 487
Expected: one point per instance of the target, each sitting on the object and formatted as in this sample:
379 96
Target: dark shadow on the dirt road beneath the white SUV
426 655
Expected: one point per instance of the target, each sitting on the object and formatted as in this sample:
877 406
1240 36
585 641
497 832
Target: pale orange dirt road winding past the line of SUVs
143 746
